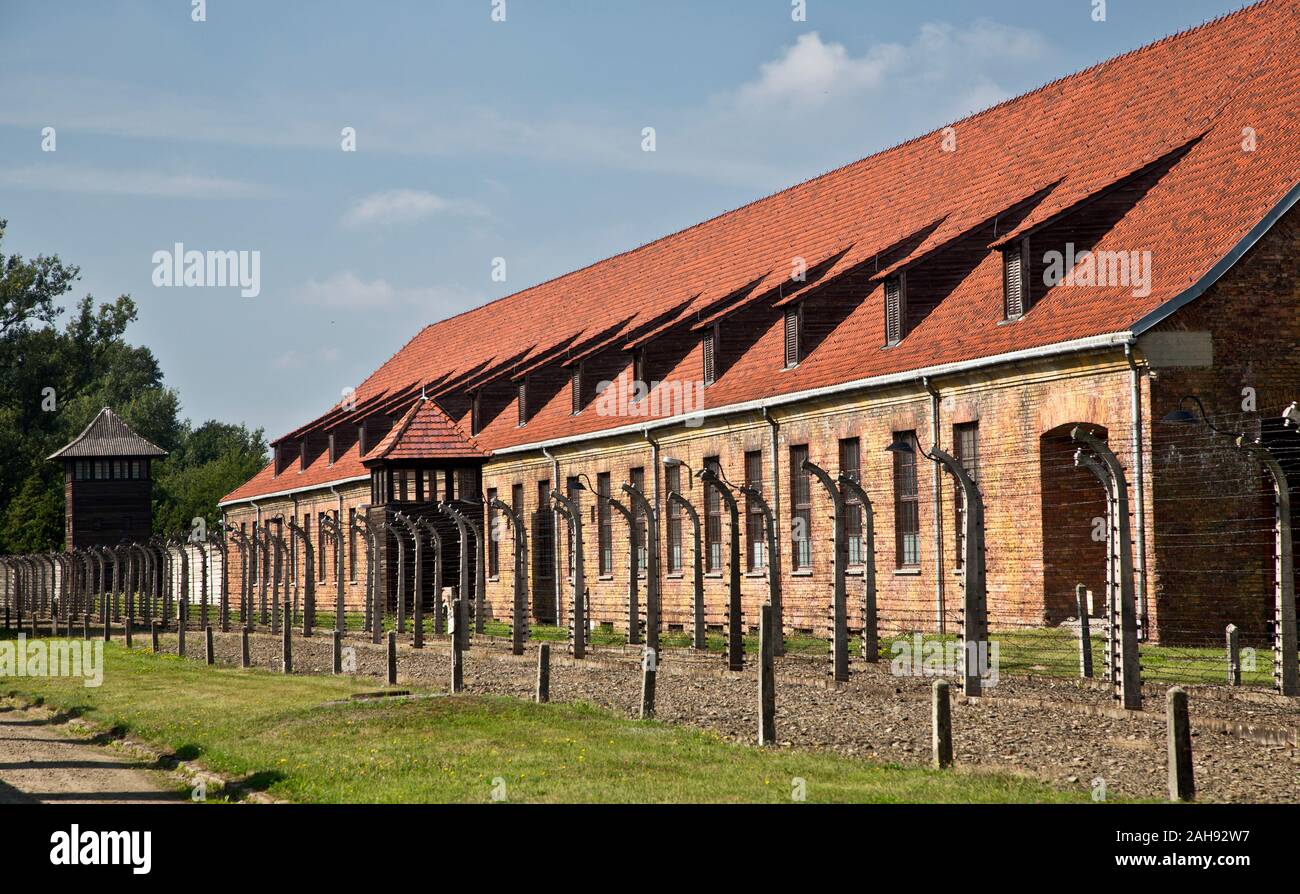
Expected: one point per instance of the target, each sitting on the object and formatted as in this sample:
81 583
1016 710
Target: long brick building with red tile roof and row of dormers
1082 255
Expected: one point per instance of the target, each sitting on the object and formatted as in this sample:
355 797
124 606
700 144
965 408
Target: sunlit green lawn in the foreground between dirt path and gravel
293 737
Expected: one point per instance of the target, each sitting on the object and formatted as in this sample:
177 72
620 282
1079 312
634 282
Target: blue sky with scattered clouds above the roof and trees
475 141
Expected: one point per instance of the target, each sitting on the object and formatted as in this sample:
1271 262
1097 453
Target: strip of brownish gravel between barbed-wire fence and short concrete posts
1059 731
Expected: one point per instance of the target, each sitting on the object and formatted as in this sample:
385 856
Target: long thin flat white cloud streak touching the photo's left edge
63 179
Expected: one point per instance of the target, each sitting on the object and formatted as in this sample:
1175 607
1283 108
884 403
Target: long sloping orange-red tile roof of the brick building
1072 138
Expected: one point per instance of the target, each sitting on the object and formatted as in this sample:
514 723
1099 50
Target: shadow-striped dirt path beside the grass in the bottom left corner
45 762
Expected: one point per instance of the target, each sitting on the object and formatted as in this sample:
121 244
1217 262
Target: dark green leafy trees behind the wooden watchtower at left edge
55 381
